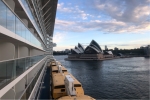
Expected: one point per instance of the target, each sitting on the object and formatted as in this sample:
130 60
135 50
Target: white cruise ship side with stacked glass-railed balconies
26 45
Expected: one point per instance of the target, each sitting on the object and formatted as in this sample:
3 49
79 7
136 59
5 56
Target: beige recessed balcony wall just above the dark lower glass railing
10 51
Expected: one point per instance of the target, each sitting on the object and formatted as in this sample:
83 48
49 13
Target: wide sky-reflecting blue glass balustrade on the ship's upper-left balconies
12 23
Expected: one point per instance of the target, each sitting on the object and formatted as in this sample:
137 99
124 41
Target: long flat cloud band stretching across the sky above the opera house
111 26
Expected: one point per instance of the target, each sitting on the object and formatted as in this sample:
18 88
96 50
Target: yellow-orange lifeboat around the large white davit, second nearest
58 86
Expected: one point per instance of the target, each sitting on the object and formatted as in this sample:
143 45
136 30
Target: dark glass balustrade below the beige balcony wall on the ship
10 70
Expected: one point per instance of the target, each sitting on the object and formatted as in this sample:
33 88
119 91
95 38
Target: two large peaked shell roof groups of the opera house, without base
93 48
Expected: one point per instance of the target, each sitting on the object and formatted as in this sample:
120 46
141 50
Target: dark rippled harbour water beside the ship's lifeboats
126 78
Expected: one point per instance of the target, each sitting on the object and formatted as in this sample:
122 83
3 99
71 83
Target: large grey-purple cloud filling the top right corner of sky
132 11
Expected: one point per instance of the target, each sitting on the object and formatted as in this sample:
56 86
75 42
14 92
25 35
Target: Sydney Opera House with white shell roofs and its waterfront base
92 52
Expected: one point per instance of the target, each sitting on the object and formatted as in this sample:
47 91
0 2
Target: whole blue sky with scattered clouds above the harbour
116 23
